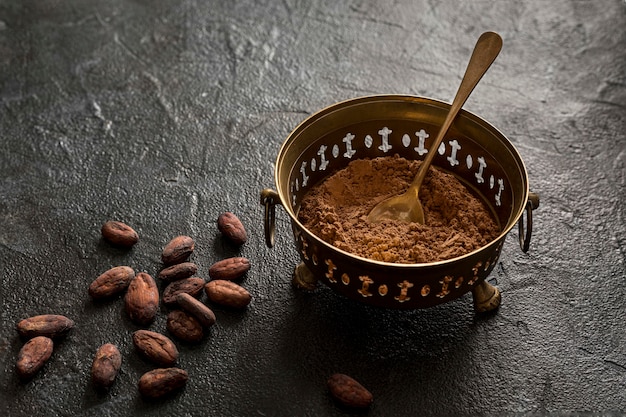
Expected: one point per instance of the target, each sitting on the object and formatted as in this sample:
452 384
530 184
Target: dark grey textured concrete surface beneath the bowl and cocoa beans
163 114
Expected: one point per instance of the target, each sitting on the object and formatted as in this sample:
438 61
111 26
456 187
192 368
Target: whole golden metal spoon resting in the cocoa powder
407 207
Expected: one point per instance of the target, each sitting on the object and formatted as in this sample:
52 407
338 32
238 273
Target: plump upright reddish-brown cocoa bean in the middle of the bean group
142 299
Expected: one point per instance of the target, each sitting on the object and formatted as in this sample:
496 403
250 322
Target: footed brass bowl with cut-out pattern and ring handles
384 125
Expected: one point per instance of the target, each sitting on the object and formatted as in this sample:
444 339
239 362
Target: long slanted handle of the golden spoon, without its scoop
485 52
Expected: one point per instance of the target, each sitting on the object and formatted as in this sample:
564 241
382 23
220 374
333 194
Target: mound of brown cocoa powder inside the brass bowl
336 209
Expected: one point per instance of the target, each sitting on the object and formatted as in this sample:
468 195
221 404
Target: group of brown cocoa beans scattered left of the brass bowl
187 320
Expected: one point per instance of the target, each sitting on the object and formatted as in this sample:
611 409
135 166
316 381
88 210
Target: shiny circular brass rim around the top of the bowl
402 97
